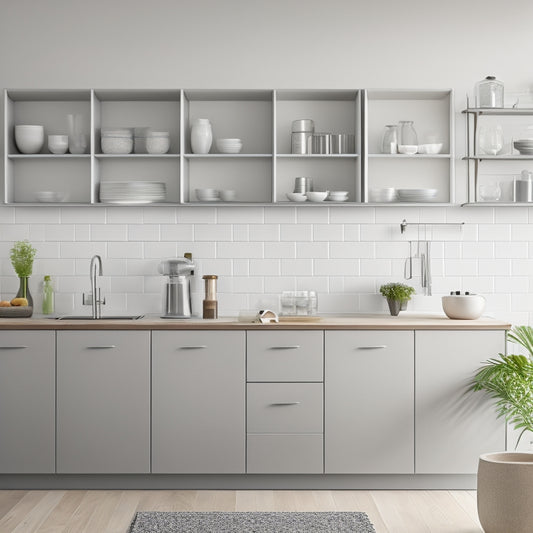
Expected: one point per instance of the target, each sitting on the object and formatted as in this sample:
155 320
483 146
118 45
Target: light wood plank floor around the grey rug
79 511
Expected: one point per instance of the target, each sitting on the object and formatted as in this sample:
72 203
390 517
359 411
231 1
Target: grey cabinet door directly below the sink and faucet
103 402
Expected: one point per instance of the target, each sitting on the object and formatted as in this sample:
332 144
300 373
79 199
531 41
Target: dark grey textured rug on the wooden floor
225 522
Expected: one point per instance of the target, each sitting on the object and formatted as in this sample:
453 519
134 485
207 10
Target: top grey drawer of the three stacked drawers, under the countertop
285 356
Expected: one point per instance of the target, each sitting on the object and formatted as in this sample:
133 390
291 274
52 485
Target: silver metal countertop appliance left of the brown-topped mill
177 294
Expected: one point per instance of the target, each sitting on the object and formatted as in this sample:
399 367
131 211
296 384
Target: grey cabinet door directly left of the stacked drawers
198 396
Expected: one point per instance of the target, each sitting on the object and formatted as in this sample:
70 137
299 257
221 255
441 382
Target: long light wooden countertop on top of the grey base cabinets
405 321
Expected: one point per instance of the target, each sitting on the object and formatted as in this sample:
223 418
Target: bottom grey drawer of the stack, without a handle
285 454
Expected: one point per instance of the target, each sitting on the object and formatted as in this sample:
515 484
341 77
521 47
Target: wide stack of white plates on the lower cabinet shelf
132 192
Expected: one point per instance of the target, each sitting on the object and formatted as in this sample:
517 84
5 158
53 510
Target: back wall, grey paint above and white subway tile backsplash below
275 44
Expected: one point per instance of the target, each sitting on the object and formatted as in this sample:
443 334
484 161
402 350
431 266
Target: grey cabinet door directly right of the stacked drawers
369 397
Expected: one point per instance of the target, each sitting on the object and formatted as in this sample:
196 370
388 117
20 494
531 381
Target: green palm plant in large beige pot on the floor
505 479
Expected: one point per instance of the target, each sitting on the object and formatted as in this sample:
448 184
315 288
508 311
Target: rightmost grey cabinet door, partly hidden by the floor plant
454 428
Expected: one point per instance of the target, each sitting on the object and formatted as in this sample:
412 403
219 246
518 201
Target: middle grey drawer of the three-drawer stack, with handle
284 408
